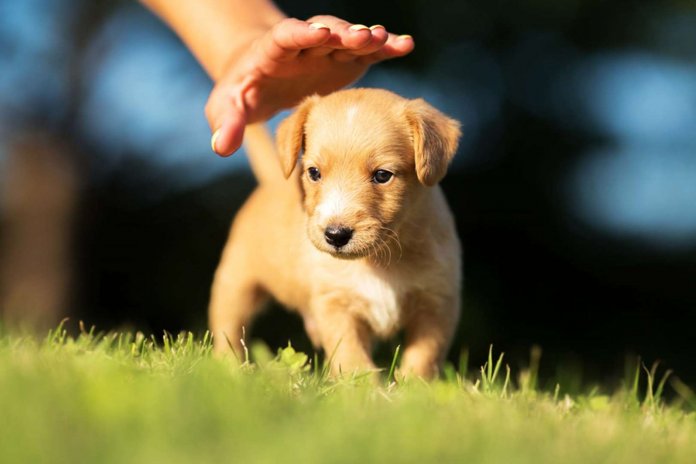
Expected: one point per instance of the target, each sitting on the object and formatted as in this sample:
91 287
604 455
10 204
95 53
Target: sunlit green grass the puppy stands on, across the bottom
128 398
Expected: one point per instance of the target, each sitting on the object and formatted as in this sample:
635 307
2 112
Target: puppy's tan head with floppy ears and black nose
368 155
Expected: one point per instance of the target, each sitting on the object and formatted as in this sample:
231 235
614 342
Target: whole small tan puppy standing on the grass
356 235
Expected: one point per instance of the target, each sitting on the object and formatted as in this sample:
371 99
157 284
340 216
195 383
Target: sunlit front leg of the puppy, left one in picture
346 340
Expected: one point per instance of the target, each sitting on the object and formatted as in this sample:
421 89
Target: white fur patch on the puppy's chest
382 298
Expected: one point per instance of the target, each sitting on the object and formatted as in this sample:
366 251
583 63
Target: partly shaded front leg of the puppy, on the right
429 333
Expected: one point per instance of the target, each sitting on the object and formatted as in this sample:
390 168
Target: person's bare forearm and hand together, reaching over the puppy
262 61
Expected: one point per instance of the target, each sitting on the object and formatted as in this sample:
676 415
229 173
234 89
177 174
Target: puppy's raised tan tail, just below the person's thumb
262 154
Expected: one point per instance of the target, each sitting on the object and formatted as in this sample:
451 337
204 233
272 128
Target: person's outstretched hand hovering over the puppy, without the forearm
288 62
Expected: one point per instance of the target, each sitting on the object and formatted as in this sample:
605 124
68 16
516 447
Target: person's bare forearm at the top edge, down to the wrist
214 30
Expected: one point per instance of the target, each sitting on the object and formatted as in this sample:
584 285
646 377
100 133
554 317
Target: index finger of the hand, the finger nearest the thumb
290 36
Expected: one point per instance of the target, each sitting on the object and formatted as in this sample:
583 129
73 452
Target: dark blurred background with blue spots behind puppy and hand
574 188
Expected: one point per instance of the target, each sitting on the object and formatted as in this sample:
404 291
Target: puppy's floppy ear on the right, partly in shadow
435 140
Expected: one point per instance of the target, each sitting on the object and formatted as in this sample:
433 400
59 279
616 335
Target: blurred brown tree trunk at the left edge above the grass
38 205
